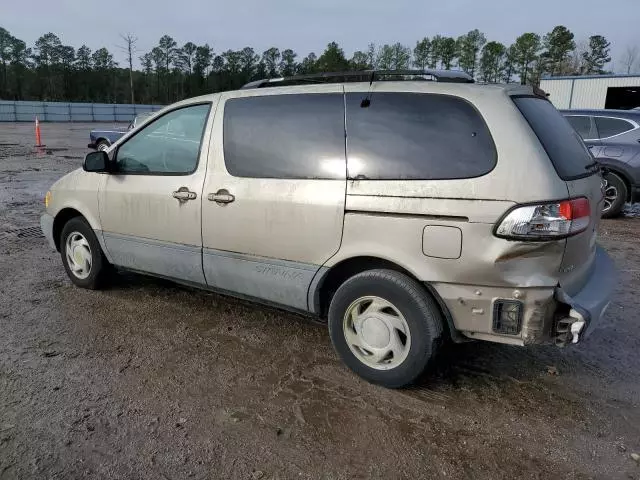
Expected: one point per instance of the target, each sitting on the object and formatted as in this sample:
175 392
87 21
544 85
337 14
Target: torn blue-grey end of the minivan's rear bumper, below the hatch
587 307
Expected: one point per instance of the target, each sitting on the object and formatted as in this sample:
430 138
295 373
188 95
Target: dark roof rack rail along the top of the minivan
449 76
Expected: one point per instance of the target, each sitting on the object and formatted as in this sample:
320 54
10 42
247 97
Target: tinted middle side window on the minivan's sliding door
285 136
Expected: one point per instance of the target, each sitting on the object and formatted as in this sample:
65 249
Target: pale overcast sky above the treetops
306 27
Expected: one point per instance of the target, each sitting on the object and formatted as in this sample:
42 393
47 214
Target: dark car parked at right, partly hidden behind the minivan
613 136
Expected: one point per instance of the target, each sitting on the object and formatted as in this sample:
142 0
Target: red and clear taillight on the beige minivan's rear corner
547 221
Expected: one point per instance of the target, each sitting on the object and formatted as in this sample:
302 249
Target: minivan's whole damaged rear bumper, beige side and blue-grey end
524 316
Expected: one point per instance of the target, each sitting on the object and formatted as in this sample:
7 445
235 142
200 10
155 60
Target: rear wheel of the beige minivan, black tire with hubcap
360 339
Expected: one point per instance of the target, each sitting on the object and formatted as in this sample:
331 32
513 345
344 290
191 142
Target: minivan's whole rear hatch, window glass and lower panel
576 166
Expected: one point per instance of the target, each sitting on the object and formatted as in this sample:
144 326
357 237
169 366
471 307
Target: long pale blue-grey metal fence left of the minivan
70 112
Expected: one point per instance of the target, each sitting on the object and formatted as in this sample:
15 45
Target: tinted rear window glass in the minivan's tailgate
563 145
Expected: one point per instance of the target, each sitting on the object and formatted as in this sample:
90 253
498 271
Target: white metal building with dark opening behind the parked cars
593 92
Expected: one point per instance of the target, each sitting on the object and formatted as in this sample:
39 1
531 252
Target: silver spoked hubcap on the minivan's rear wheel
377 333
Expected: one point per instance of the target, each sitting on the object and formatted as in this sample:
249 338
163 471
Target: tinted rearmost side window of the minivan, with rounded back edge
412 136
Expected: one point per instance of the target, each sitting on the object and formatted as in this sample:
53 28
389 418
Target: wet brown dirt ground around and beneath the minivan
148 380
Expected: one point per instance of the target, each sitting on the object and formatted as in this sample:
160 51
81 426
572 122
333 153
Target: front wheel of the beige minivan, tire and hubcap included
81 254
